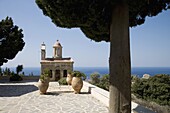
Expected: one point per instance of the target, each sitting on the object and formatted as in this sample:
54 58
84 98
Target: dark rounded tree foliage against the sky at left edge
11 40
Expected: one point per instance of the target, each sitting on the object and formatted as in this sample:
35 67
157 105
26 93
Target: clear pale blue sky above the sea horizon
150 42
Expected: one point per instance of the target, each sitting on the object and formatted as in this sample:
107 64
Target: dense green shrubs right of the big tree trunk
155 89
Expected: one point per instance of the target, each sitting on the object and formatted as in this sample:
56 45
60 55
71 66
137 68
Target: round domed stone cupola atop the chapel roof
57 50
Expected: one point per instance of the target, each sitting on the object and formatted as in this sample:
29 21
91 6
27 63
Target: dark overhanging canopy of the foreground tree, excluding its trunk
94 16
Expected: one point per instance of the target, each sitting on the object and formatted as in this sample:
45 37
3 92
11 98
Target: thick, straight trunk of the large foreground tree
120 68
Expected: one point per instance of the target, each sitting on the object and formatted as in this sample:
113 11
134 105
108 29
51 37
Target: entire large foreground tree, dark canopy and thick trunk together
107 20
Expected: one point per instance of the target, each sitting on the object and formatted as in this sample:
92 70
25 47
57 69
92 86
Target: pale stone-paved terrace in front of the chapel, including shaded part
24 97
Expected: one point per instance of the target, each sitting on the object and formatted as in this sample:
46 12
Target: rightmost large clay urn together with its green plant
77 82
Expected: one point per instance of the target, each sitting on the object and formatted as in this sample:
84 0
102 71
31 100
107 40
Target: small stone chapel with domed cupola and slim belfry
57 65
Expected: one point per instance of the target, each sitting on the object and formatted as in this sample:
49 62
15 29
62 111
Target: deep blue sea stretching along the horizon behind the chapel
138 71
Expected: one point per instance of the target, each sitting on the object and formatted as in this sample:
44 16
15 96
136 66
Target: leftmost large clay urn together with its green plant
43 82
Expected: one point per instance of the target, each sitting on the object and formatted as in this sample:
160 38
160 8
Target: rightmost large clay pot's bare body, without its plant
77 84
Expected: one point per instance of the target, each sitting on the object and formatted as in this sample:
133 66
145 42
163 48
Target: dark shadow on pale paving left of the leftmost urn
16 90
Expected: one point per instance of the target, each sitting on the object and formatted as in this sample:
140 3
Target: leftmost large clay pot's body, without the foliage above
43 85
